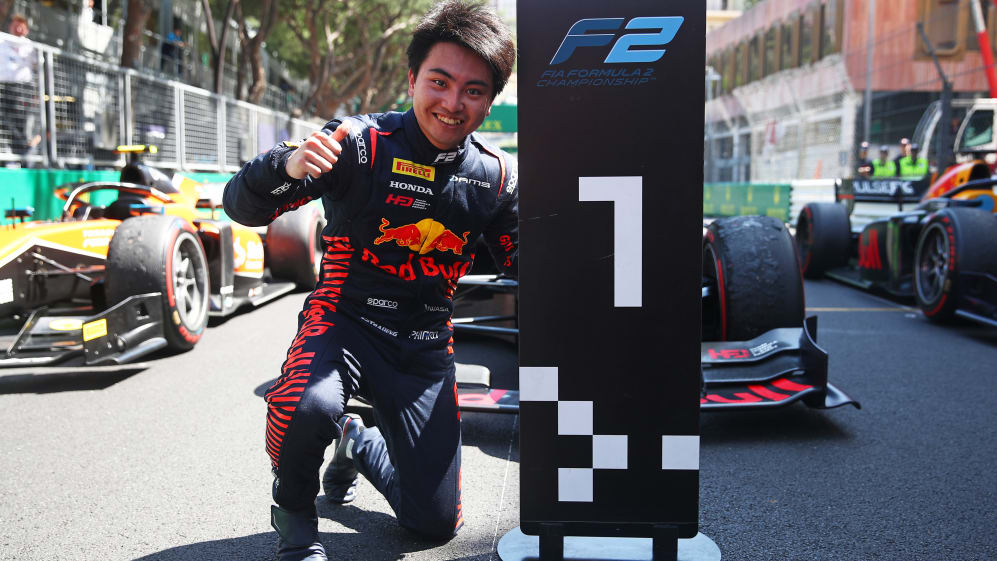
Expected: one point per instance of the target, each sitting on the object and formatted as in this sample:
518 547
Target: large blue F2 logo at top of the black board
578 36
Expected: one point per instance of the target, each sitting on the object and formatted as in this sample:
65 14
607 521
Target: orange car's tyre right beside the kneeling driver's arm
294 246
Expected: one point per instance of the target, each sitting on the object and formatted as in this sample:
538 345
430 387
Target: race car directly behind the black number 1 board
757 349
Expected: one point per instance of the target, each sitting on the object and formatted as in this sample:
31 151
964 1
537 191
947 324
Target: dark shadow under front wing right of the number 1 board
795 423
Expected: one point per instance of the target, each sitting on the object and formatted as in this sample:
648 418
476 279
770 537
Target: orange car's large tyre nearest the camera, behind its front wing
162 254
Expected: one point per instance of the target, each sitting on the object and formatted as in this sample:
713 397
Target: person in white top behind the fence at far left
18 89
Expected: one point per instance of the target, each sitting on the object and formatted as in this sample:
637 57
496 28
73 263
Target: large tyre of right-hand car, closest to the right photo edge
952 240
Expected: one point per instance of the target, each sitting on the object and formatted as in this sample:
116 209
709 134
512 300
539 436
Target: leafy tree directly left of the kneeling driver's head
355 51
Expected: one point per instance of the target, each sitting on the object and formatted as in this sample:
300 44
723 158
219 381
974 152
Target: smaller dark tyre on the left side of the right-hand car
823 234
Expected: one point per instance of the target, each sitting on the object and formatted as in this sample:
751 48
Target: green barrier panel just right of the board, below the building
739 199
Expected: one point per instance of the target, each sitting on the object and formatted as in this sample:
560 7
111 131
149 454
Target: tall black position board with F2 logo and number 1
611 153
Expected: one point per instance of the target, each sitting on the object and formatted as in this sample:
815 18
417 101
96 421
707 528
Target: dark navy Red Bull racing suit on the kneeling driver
403 218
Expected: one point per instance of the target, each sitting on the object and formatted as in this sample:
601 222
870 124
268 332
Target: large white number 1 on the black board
625 194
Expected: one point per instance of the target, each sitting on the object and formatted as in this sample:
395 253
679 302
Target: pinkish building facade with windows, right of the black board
788 94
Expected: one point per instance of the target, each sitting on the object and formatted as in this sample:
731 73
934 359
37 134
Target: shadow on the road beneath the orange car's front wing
52 380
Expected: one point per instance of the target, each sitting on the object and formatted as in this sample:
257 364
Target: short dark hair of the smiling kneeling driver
472 26
